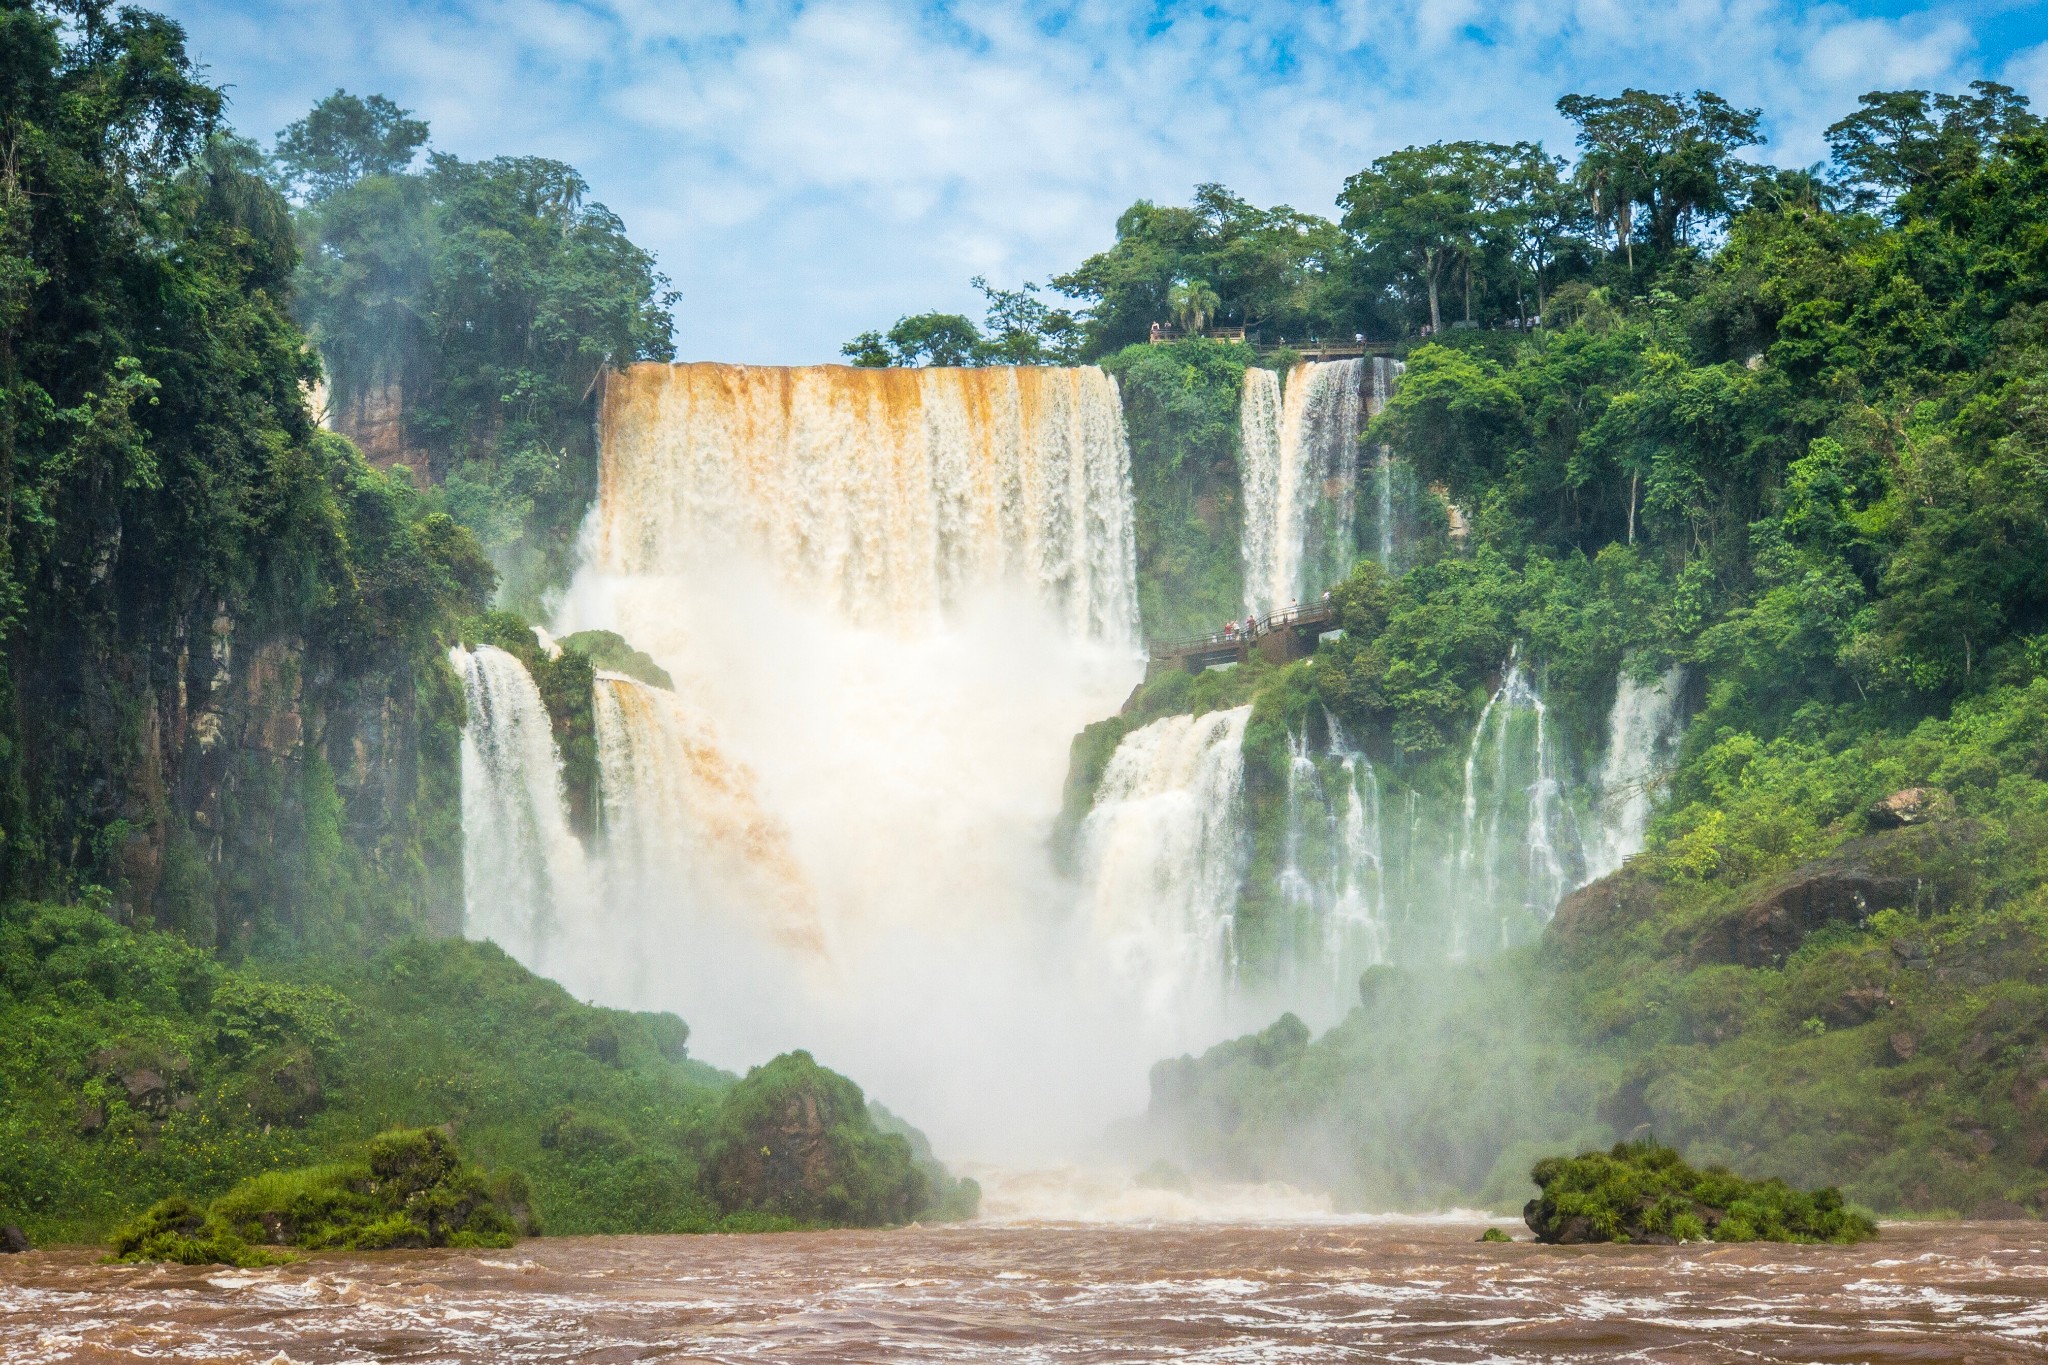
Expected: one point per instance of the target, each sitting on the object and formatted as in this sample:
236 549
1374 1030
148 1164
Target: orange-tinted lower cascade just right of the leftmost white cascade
685 832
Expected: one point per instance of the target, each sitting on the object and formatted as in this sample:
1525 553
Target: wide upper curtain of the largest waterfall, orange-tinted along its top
892 494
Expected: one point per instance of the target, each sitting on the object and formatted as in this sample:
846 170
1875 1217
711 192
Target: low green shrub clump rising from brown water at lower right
1644 1192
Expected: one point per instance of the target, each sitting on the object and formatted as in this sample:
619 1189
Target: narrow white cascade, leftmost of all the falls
525 875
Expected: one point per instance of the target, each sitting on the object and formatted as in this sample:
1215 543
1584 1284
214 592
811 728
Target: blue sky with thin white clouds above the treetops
814 169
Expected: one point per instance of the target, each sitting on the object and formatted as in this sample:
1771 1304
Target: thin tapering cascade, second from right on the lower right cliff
1519 842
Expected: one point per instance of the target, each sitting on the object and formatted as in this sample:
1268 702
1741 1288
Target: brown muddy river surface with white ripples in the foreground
1291 1292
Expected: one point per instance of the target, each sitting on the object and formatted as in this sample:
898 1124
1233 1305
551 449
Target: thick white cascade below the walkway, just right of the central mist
1164 856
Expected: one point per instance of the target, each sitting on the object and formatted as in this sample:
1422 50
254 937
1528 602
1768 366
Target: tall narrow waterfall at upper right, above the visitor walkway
1302 474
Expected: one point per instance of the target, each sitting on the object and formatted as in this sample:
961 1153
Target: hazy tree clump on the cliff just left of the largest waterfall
464 316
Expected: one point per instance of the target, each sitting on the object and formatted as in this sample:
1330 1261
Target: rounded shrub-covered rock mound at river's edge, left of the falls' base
796 1141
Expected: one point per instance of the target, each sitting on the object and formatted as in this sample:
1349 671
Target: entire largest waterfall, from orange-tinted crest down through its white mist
888 601
